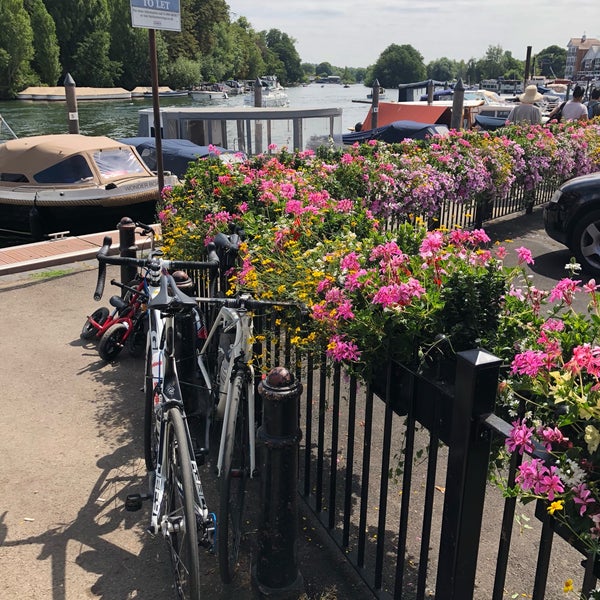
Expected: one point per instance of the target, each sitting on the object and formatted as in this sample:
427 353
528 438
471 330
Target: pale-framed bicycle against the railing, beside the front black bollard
225 361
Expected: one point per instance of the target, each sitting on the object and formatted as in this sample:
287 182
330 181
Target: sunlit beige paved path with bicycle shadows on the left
71 450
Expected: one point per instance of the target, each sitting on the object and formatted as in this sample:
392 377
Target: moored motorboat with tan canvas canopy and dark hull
75 183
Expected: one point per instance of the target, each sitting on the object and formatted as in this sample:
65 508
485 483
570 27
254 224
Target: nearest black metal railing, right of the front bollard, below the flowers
396 471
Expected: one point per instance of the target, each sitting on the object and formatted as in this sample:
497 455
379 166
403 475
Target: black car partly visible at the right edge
572 217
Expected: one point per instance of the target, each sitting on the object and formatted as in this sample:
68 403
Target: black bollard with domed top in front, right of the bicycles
276 573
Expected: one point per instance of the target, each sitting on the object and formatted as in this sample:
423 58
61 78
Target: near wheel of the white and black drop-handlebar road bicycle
178 509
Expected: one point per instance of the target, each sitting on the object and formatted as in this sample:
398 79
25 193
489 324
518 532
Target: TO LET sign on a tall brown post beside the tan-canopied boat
156 14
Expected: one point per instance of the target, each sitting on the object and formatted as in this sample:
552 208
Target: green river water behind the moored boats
119 118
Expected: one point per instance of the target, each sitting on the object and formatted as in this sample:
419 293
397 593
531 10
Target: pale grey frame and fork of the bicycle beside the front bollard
227 320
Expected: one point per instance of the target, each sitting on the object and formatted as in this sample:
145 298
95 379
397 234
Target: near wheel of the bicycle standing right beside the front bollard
234 473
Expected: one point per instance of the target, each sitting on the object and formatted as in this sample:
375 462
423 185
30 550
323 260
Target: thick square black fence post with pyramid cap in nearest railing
469 451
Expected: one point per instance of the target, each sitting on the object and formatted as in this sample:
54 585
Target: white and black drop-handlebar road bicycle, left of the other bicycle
179 509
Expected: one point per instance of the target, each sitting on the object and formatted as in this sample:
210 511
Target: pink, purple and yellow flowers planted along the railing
342 232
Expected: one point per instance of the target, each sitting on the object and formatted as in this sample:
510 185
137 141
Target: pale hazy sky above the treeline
353 33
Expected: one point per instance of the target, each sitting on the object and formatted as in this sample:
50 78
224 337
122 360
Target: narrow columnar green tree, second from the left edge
45 60
